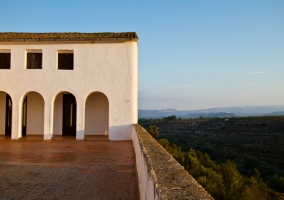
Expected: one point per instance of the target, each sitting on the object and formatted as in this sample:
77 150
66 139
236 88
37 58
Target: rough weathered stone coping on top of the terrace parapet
171 180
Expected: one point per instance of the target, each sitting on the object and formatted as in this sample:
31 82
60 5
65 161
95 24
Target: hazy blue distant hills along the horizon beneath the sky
215 112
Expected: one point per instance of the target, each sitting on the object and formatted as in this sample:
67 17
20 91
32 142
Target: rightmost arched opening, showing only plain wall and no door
96 114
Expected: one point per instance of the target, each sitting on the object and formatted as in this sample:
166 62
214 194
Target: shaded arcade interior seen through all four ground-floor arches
63 115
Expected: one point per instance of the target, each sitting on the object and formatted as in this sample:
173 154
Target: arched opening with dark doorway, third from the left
64 120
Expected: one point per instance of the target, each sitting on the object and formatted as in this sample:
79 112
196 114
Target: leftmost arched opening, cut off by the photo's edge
5 114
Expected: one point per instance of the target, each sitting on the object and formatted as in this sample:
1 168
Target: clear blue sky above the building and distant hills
192 54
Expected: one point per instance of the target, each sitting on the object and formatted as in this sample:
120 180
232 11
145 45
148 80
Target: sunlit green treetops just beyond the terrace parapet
222 181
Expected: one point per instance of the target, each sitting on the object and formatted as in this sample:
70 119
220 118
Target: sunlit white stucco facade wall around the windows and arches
110 68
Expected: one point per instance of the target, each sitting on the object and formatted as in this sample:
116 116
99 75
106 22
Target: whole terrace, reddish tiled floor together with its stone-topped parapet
94 168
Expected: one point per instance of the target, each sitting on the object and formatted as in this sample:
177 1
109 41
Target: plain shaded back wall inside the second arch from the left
35 114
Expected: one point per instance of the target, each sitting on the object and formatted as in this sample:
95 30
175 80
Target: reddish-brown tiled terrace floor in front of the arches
67 169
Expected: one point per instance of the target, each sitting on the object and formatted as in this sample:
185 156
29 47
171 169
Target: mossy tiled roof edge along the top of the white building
72 36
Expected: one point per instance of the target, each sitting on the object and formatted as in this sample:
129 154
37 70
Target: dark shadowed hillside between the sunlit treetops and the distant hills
252 142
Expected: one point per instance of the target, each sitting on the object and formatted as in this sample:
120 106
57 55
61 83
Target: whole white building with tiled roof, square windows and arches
68 84
